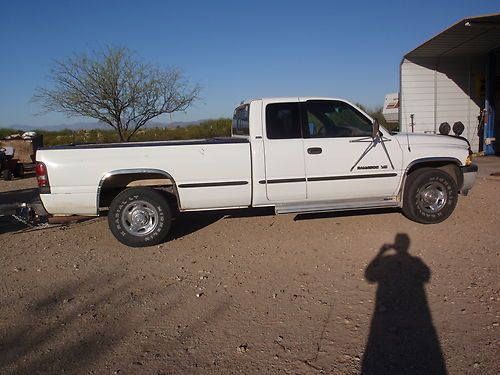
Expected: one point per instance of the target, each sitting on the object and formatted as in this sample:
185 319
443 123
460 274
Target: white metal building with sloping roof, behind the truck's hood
452 77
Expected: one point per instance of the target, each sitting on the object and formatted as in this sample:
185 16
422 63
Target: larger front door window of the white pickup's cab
332 119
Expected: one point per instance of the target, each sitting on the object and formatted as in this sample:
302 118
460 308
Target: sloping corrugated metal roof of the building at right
468 37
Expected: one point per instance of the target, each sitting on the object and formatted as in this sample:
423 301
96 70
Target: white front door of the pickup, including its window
342 159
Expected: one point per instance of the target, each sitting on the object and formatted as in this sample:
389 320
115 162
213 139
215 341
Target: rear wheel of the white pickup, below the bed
140 217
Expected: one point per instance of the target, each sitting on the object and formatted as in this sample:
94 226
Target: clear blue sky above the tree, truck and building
235 49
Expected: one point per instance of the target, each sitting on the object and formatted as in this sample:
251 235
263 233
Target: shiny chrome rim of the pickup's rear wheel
139 218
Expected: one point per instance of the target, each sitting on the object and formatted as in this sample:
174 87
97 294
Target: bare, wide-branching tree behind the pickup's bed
114 87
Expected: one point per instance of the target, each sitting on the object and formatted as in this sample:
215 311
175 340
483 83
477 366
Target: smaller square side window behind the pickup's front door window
283 121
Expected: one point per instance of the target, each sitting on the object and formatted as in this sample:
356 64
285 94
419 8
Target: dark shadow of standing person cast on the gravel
402 339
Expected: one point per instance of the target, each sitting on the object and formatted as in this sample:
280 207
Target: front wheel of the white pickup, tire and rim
430 196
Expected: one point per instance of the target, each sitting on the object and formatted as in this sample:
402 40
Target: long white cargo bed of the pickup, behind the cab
208 173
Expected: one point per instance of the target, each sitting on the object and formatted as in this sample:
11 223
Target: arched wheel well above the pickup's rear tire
112 185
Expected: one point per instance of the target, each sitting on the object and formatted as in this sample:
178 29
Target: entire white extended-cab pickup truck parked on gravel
298 155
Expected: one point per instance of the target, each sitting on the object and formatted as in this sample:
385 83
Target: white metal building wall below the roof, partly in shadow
441 90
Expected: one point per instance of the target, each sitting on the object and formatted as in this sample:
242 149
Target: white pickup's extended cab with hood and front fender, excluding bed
311 154
